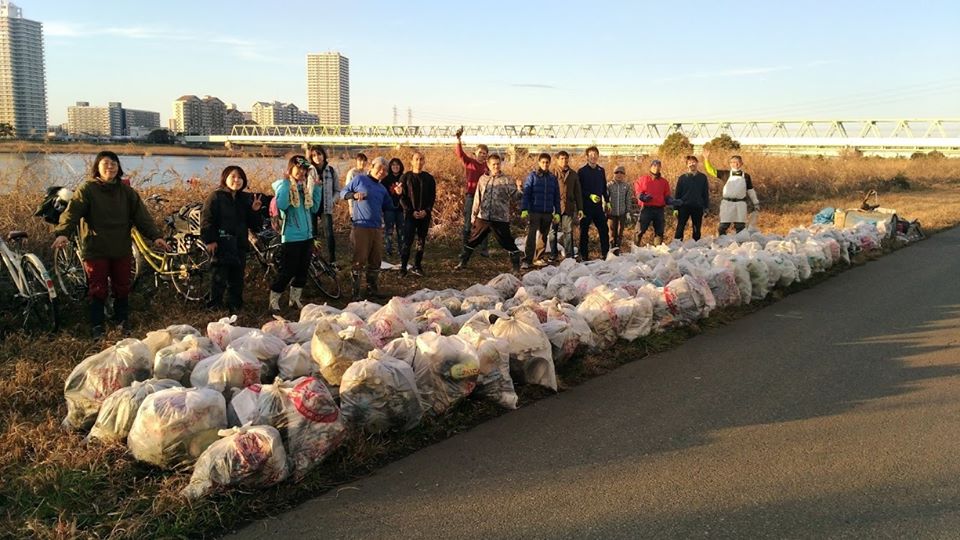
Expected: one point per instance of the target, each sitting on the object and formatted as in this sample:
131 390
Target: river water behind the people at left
26 171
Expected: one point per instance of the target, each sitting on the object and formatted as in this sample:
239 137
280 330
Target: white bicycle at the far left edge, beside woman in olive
31 283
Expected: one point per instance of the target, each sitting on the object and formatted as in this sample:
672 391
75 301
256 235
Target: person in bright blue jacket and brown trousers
370 201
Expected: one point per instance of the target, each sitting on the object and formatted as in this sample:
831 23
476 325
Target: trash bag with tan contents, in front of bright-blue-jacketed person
334 349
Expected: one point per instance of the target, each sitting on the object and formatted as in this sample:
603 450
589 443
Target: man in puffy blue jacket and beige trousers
541 205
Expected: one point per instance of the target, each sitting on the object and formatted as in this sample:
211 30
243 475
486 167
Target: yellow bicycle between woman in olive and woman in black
186 267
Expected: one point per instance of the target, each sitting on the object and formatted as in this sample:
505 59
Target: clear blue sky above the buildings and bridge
516 61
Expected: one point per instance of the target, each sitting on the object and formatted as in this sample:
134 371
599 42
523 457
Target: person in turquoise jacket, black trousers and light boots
298 201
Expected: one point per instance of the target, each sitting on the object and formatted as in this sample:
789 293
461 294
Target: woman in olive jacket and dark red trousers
104 210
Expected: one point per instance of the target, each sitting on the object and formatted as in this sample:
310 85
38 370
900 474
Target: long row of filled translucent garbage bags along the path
251 407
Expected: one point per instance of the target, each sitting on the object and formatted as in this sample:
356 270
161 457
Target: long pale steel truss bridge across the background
780 136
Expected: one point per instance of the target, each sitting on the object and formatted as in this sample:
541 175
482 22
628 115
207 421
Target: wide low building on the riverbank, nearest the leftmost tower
110 121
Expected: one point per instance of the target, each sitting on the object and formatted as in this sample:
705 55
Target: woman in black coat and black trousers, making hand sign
227 215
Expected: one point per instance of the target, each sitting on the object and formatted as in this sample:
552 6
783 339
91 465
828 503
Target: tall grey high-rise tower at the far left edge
23 90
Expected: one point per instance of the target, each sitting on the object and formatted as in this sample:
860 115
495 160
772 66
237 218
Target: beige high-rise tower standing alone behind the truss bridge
328 87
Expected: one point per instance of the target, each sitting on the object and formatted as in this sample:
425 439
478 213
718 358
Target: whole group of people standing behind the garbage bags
389 207
